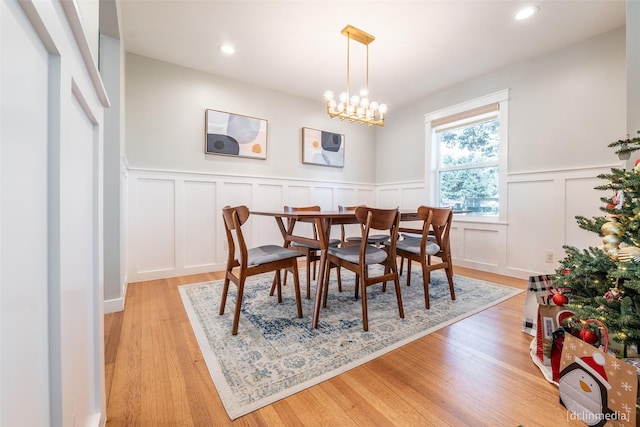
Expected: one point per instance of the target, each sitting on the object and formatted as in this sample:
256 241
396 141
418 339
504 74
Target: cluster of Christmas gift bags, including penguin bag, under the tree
595 382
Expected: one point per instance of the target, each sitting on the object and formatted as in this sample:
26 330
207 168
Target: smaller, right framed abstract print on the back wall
322 148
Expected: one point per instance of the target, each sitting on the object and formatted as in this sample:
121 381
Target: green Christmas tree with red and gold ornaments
604 282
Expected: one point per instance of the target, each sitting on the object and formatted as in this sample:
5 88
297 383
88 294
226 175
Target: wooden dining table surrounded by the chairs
323 220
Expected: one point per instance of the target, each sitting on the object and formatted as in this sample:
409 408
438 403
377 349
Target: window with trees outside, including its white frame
467 149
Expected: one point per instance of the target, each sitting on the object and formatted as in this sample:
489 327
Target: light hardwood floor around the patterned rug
475 372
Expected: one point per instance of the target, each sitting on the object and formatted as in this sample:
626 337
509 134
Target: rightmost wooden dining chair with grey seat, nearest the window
434 242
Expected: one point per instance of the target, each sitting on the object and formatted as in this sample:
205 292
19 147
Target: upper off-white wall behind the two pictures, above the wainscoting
166 126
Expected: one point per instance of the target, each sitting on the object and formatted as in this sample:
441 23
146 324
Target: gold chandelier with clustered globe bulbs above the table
356 108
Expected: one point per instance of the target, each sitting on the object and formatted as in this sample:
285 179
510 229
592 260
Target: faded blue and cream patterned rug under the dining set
276 354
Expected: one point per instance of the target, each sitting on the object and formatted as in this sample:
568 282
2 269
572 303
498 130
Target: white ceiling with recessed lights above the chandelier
296 47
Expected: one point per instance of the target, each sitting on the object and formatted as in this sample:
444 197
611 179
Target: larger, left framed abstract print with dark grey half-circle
236 135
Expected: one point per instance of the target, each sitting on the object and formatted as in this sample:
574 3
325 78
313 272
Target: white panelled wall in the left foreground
51 283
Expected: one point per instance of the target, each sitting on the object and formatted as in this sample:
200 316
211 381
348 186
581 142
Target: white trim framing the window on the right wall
431 180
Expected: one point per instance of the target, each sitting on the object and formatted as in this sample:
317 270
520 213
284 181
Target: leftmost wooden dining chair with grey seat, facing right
249 262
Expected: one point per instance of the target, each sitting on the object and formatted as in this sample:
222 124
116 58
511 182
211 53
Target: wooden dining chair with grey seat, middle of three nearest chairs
358 258
